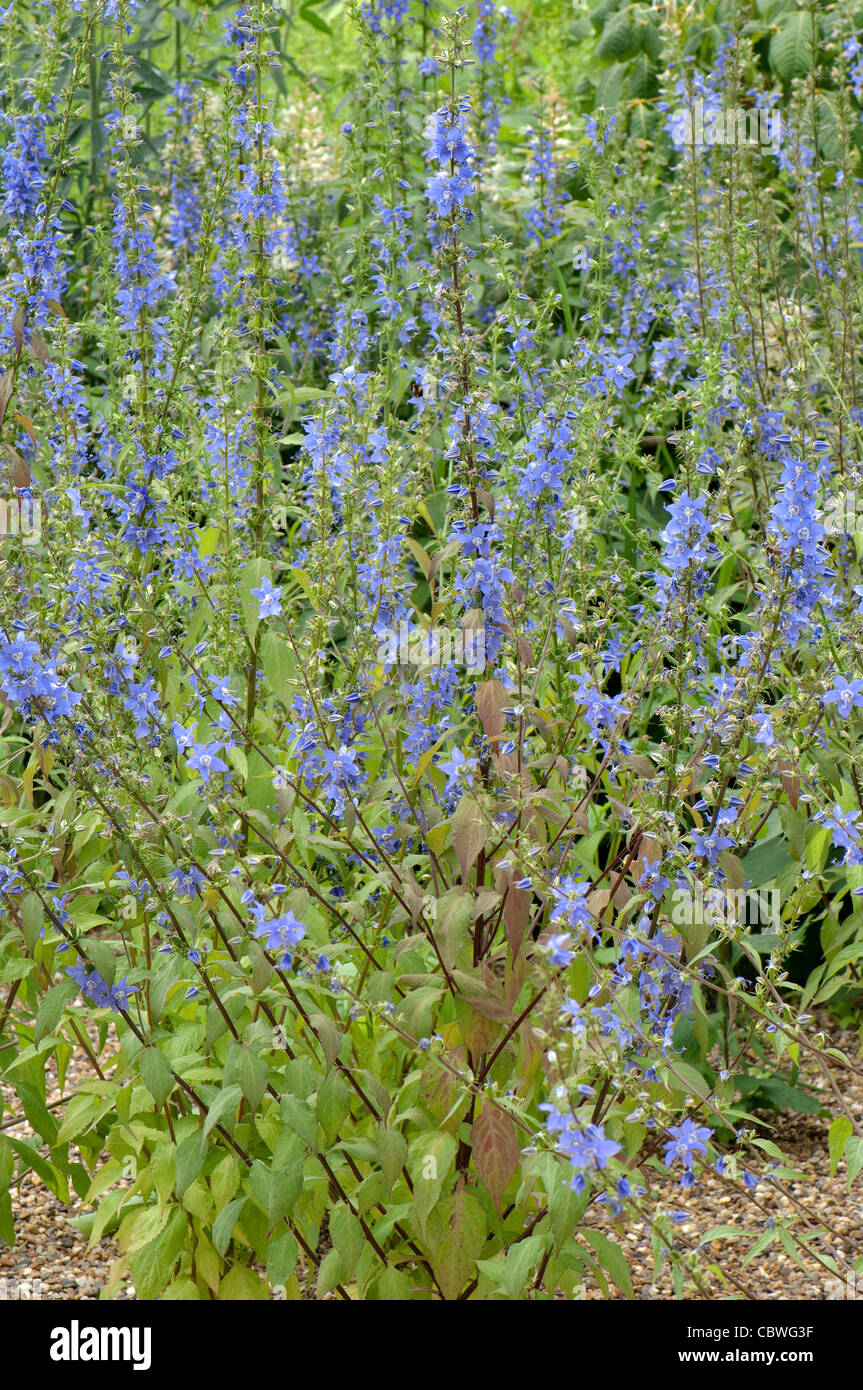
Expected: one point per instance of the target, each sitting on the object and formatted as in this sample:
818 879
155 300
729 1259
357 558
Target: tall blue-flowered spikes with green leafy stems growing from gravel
388 971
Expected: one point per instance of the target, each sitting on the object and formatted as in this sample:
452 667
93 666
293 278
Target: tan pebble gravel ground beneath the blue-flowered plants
56 1254
